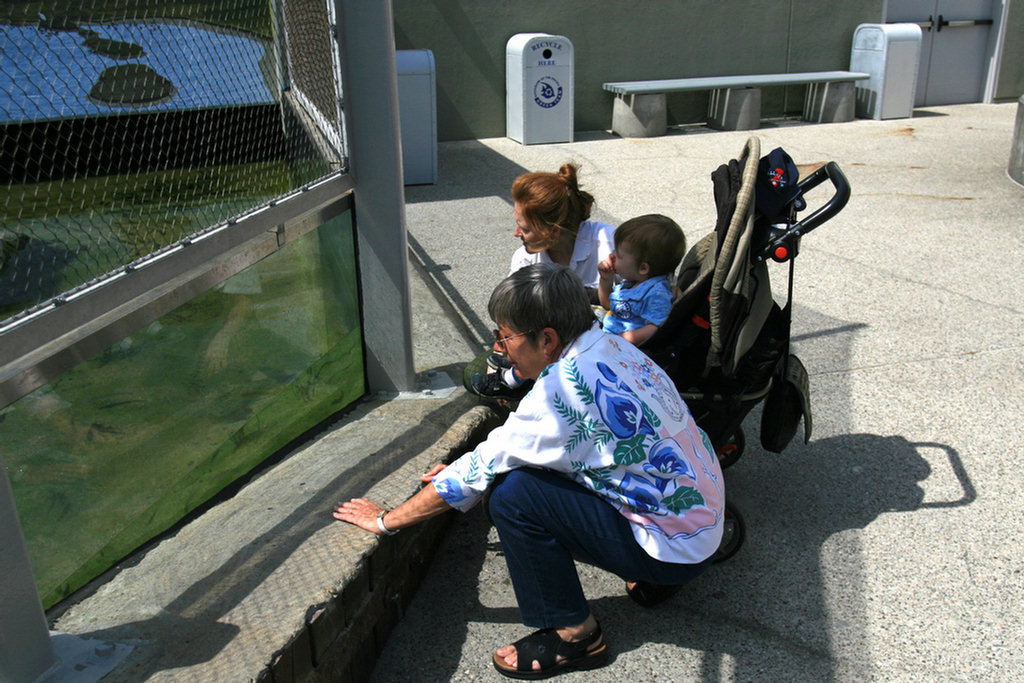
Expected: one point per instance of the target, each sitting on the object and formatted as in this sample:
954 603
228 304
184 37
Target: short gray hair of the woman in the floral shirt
543 295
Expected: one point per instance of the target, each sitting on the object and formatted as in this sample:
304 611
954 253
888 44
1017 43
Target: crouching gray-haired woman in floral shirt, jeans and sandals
602 462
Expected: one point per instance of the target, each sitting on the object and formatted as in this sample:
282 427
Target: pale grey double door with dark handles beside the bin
956 46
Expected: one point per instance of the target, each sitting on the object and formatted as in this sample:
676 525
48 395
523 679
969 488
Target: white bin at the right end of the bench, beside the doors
891 54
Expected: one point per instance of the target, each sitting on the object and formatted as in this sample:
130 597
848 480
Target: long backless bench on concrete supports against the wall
639 109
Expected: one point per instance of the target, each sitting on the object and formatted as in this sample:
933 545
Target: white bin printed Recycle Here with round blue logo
539 95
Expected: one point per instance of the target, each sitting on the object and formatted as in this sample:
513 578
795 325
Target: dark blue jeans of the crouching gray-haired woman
545 522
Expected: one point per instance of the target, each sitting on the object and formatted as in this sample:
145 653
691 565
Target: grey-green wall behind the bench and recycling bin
625 40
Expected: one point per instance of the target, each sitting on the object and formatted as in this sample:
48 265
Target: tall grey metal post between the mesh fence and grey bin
366 35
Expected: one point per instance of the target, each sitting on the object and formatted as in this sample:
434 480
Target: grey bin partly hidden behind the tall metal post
418 115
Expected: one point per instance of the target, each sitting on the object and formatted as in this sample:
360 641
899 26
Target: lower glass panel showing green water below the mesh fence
124 446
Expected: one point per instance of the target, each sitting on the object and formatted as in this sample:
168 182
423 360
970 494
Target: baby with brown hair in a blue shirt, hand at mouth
648 251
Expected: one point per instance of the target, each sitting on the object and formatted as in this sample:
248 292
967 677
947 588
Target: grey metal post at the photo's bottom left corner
26 651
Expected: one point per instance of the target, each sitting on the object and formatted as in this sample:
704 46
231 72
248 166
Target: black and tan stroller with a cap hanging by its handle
727 341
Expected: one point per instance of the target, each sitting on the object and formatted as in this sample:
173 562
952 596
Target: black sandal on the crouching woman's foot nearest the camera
545 647
